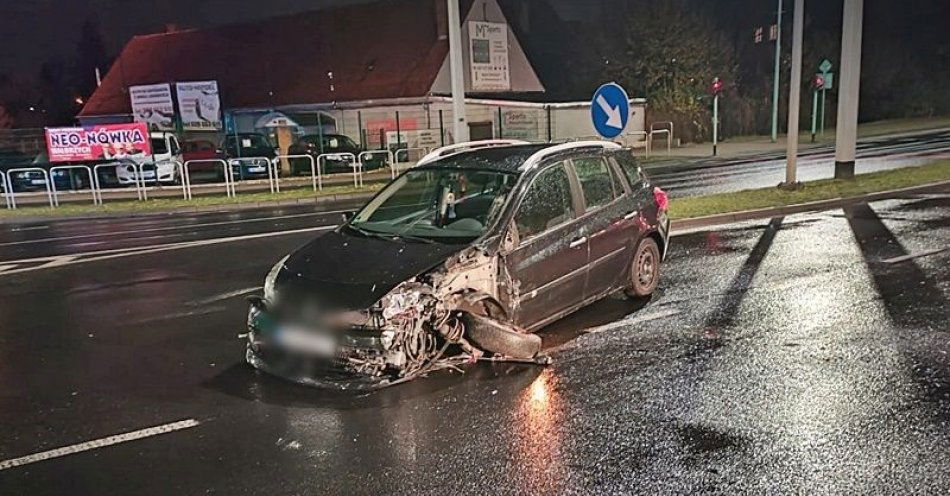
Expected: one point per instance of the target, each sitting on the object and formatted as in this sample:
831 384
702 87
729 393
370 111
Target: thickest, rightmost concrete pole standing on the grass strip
848 89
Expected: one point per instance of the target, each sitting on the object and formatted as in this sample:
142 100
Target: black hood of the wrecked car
350 271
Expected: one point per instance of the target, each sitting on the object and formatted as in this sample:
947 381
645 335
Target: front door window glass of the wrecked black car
546 204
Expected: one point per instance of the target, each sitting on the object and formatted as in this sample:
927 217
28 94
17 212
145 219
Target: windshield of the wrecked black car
443 205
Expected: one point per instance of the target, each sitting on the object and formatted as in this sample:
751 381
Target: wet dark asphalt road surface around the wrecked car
795 355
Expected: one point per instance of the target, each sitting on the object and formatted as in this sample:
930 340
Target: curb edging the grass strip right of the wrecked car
762 213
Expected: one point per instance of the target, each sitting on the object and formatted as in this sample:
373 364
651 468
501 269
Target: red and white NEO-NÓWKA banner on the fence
96 143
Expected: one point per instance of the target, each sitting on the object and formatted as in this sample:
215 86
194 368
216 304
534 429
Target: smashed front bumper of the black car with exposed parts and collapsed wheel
378 349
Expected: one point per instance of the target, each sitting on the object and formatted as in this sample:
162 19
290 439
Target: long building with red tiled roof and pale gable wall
373 71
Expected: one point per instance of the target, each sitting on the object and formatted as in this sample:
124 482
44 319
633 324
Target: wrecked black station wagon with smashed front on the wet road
461 257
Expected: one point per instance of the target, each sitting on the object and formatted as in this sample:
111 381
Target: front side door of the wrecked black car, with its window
548 264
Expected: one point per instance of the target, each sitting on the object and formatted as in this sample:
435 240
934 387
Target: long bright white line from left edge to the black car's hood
92 256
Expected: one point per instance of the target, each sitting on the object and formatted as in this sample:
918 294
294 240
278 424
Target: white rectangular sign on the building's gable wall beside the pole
488 44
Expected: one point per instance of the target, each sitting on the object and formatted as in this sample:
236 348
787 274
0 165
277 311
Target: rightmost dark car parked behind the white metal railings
337 145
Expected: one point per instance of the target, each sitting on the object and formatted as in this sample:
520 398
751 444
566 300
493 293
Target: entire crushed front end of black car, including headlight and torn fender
421 325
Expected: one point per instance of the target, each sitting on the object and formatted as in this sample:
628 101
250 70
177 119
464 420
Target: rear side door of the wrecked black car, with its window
610 222
